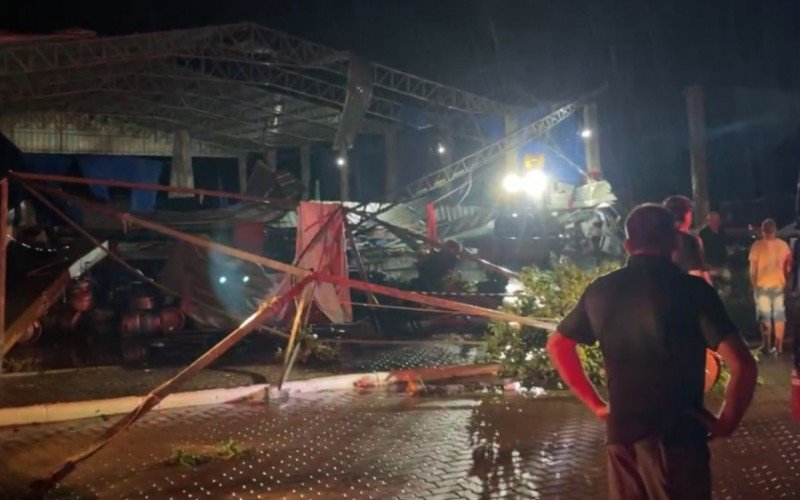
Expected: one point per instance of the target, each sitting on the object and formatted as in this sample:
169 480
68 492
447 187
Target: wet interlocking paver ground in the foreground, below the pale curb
377 445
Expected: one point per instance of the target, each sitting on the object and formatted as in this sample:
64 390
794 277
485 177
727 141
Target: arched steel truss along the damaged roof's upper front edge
242 52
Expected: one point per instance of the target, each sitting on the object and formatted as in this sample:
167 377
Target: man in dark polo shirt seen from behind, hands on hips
654 324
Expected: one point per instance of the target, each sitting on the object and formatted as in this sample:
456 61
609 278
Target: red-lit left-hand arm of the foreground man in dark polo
564 355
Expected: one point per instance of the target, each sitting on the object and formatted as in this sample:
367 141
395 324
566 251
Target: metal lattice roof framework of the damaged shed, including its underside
239 86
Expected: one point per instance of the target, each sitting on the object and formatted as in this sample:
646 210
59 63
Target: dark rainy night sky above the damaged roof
527 51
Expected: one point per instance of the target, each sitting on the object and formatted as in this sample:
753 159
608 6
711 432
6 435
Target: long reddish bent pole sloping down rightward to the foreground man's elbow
276 265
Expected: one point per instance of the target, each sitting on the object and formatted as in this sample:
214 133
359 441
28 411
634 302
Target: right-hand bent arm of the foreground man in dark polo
740 388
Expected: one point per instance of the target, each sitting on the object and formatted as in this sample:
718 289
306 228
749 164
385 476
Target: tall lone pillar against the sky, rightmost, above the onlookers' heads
697 151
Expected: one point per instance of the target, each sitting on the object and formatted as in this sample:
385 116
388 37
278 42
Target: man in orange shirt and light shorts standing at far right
770 263
